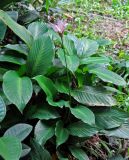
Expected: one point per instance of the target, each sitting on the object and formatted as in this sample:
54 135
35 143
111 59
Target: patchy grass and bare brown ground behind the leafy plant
99 20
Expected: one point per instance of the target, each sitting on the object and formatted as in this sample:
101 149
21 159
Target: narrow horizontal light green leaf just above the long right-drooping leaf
95 60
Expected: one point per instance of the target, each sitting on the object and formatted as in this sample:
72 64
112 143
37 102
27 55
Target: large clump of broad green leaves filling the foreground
49 93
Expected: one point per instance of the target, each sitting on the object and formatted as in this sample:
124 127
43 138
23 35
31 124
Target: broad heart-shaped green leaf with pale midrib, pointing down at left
17 89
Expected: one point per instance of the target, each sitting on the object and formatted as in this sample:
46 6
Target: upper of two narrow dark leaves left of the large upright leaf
21 48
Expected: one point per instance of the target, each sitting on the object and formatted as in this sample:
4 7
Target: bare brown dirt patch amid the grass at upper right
109 27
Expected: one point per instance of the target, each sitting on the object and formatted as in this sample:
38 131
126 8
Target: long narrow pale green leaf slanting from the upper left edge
19 30
